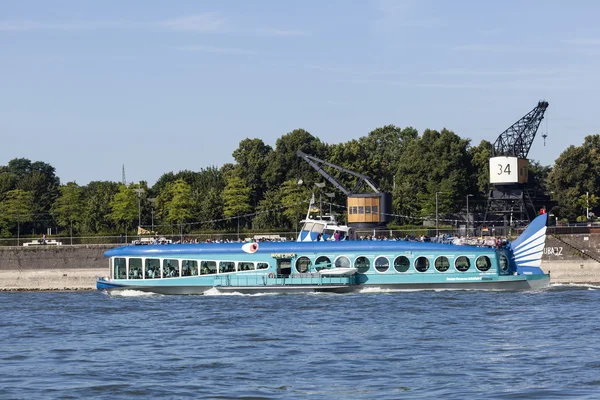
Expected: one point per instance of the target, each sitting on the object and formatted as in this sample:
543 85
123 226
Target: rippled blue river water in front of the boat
380 345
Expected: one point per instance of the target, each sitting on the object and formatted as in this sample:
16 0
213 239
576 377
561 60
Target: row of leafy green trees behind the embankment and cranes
261 189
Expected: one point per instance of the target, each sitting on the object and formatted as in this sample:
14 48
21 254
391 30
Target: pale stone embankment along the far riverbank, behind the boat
568 258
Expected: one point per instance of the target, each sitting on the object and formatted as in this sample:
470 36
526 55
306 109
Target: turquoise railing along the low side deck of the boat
271 279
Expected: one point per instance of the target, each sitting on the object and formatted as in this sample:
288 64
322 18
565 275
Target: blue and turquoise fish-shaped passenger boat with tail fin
328 266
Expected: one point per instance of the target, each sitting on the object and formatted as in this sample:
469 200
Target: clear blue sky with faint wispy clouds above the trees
160 86
